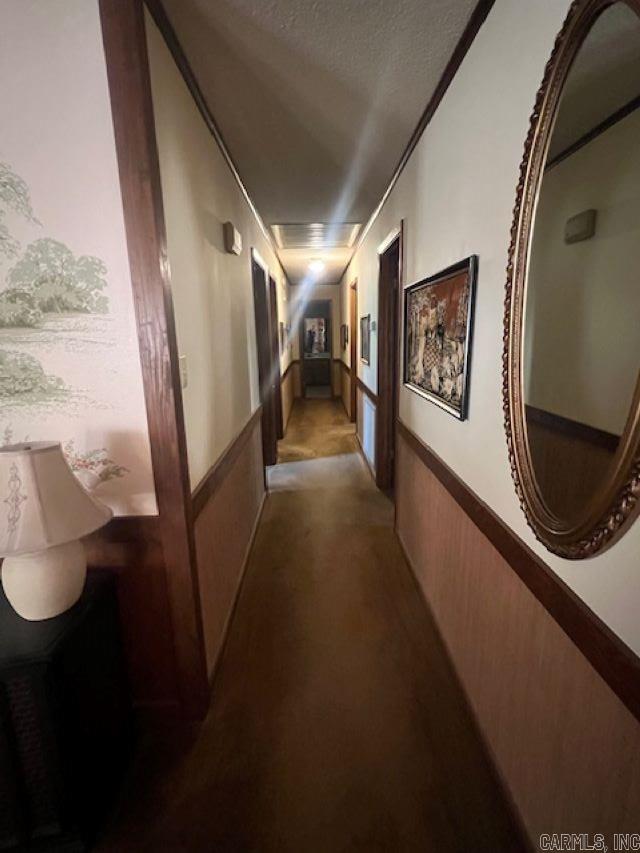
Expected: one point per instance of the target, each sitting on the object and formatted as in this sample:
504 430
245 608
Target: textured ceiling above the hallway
316 99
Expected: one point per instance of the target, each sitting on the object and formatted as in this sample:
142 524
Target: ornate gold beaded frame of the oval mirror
611 510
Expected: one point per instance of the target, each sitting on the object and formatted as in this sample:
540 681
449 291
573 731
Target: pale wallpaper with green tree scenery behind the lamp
69 358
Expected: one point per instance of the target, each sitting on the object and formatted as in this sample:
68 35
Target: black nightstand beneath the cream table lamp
65 720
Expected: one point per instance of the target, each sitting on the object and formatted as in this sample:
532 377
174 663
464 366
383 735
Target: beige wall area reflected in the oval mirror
583 306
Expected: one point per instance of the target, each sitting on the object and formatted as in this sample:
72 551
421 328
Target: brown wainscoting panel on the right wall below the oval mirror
566 747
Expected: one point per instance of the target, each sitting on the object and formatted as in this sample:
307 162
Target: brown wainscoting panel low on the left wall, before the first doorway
224 527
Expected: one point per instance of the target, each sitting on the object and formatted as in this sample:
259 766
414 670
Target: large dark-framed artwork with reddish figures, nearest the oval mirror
438 320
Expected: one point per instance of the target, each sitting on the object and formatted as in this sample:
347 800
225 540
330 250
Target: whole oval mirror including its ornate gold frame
572 355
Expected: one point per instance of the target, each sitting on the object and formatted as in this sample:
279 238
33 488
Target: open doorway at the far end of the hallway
316 350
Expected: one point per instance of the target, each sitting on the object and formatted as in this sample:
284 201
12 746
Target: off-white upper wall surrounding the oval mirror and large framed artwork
456 197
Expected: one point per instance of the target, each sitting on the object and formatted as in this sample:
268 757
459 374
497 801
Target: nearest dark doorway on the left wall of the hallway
268 363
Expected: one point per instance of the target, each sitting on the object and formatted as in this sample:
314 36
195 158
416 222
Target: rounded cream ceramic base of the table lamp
45 583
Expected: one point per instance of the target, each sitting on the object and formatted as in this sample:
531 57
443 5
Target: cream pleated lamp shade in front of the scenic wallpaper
42 504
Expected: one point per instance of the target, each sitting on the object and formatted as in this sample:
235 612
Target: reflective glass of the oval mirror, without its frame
582 315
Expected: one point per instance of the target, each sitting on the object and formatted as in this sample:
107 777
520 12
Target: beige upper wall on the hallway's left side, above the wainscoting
212 290
